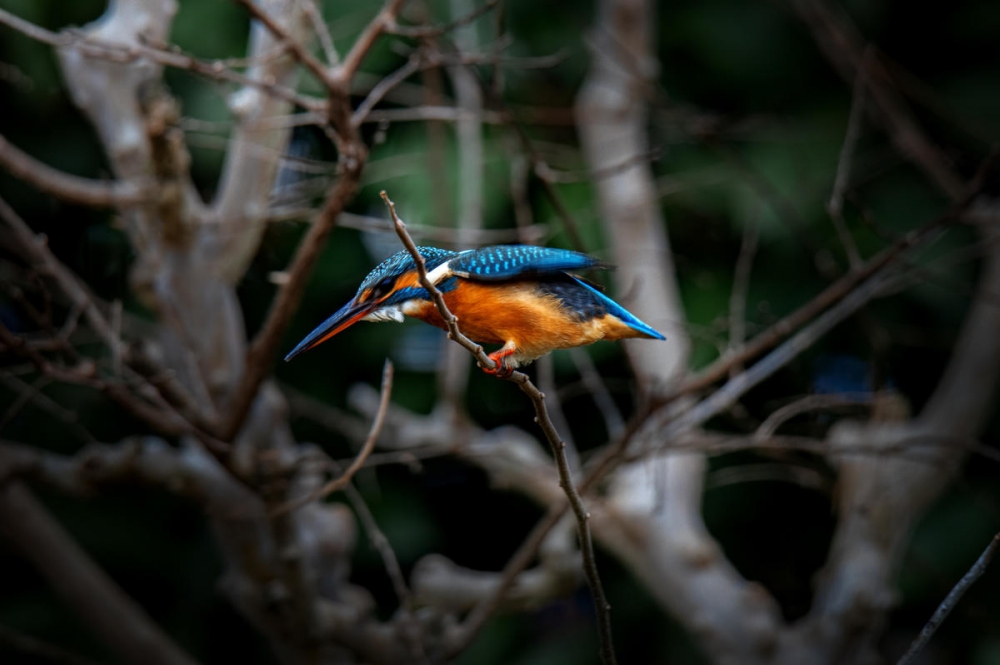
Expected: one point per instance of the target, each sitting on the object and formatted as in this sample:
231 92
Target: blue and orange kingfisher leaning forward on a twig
520 296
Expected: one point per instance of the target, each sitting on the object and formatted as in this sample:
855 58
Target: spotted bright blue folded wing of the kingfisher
502 262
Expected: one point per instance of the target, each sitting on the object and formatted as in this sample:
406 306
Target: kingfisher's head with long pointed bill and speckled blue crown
384 295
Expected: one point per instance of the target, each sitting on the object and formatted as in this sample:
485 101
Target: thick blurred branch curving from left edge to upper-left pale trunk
67 187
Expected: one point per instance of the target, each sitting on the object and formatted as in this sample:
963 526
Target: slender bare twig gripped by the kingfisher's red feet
601 605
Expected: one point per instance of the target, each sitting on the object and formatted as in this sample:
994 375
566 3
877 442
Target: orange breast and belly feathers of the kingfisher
536 322
